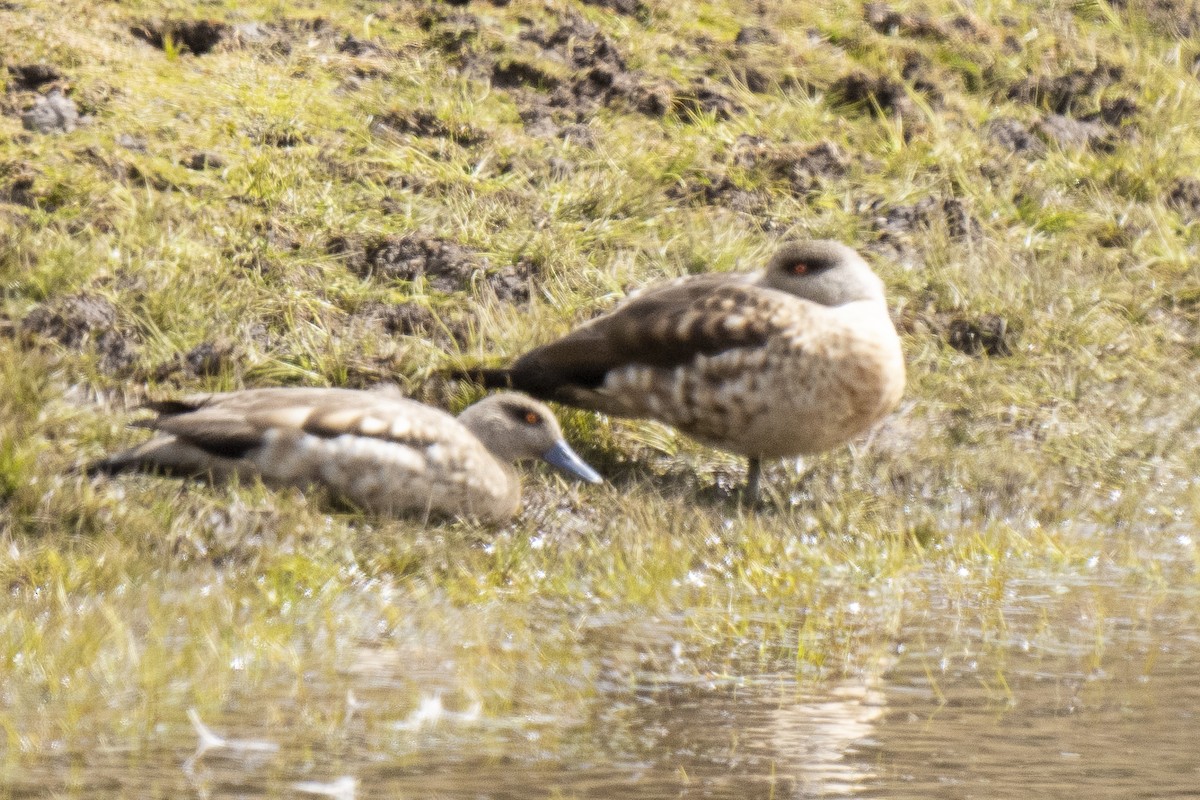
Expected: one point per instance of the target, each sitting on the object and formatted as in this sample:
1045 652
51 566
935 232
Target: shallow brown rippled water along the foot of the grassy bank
1057 696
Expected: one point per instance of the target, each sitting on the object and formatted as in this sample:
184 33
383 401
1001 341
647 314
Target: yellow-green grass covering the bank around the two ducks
135 599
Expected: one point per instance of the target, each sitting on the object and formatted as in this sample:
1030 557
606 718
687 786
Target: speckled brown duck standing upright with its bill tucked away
790 360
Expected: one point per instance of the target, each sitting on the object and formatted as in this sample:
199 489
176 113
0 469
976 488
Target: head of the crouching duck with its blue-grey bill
515 428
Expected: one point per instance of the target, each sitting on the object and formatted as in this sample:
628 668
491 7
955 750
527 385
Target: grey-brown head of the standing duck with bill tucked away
824 272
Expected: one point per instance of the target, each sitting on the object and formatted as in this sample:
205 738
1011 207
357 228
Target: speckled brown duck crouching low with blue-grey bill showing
381 452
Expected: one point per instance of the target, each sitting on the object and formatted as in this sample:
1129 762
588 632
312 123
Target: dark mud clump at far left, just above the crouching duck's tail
86 320
